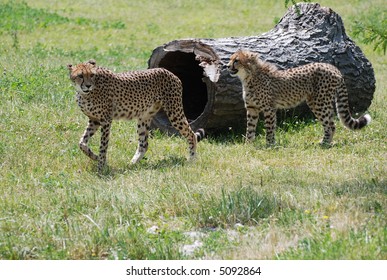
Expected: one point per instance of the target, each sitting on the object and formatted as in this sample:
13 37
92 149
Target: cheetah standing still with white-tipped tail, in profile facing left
266 89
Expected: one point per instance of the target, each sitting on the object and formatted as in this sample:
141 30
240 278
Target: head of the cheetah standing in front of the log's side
241 63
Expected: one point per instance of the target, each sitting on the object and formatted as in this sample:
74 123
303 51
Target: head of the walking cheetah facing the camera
83 76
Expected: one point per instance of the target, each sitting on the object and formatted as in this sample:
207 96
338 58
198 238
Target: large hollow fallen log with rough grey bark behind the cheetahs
212 99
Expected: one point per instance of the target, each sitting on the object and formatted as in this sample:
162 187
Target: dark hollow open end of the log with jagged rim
196 69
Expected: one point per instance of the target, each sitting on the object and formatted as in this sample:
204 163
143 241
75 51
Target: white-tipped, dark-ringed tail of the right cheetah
344 113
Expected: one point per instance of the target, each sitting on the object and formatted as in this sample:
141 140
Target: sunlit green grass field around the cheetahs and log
236 201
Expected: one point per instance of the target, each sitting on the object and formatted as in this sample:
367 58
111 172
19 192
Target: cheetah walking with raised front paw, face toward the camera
104 96
